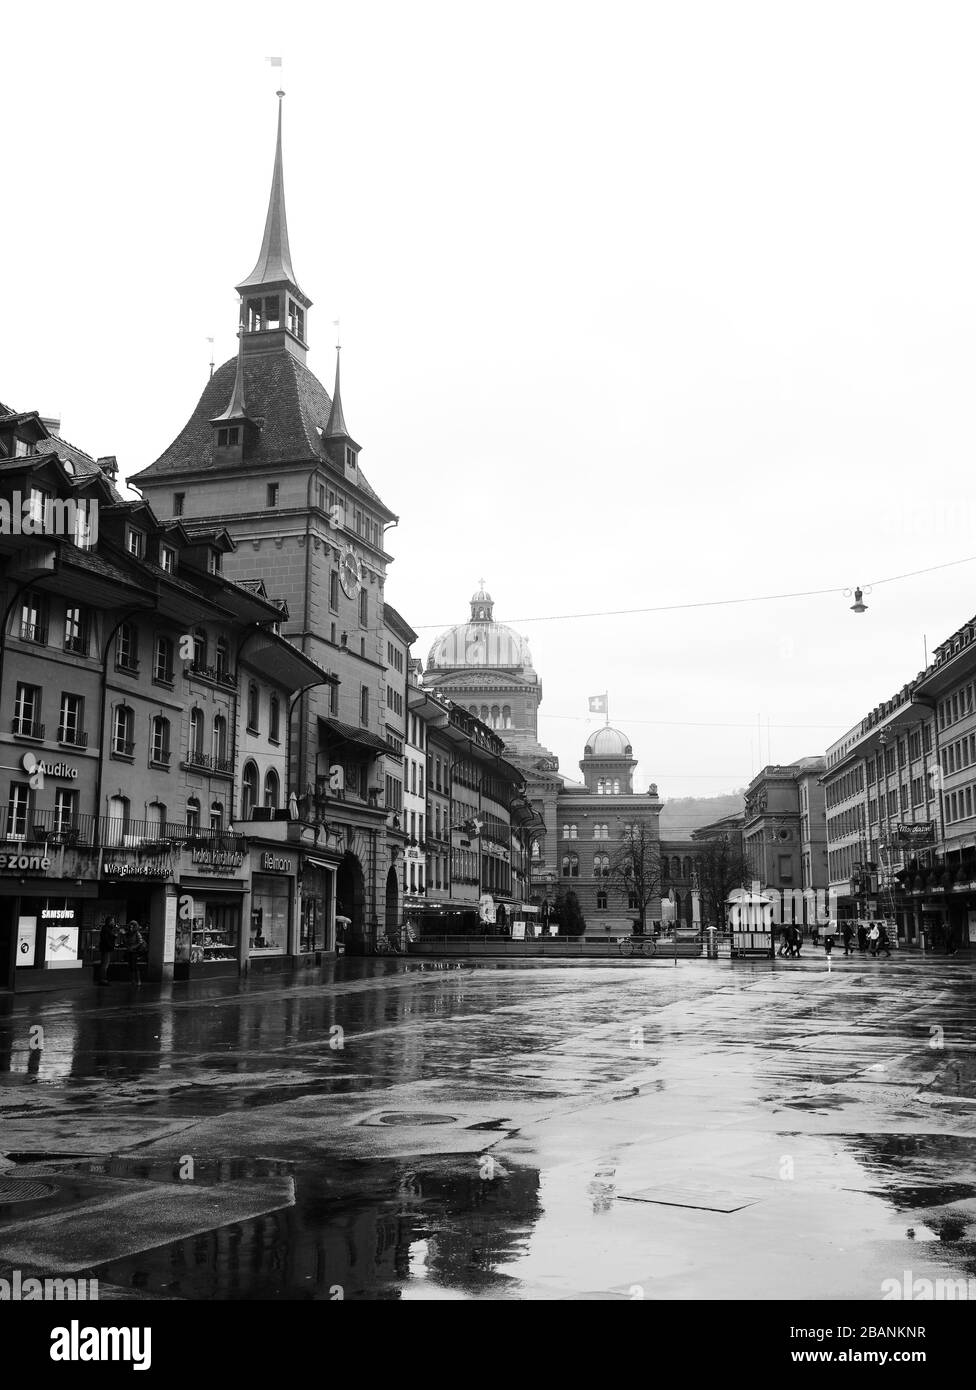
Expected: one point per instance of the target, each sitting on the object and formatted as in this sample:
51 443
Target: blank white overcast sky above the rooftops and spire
642 305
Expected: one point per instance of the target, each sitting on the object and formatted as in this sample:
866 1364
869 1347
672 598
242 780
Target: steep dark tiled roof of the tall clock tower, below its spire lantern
280 391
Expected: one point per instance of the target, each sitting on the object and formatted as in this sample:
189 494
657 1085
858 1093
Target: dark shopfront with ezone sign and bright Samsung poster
42 896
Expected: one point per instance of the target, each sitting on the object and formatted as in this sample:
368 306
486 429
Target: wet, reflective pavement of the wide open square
405 1129
